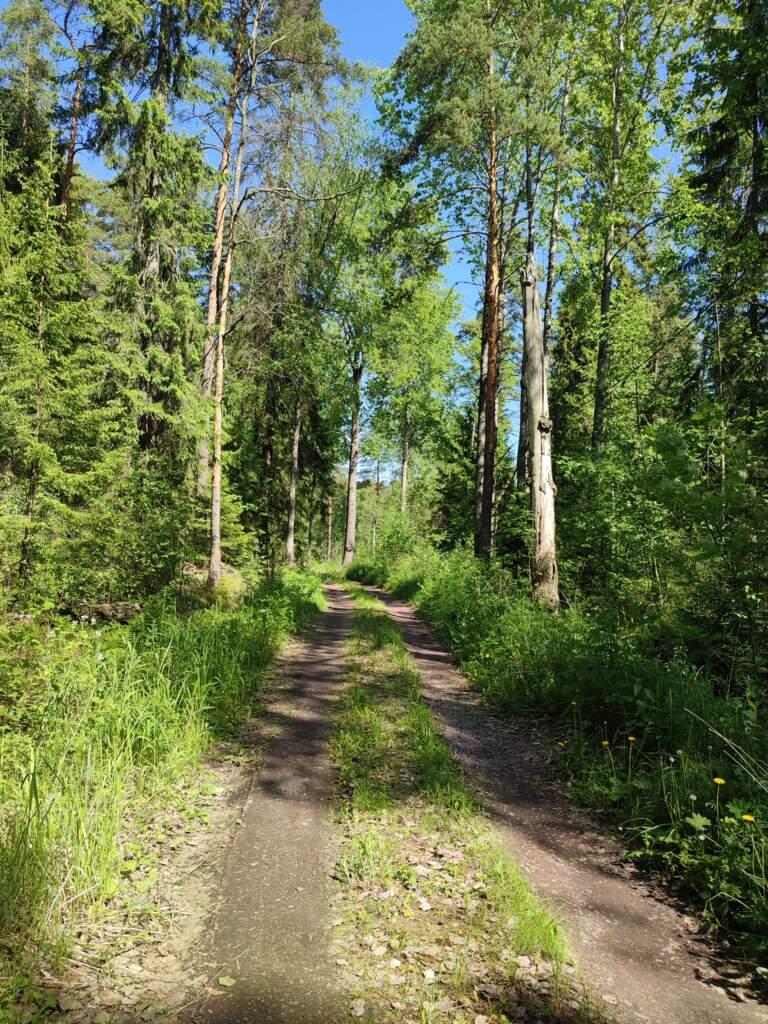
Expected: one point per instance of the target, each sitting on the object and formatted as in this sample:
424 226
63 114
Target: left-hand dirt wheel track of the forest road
270 932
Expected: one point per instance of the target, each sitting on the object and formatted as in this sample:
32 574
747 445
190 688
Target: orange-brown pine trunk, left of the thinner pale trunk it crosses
223 194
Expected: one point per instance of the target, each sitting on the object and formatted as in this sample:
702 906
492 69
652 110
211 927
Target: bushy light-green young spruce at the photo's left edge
64 417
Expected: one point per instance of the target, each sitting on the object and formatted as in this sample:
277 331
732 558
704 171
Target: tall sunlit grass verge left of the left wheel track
100 728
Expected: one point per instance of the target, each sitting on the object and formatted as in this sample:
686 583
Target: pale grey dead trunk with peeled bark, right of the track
543 491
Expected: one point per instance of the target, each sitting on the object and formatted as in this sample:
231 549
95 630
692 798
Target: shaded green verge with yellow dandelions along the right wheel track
643 740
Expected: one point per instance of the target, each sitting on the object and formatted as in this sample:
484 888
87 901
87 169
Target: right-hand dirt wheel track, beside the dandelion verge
632 945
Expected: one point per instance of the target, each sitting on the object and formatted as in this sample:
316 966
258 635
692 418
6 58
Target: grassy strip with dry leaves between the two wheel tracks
437 921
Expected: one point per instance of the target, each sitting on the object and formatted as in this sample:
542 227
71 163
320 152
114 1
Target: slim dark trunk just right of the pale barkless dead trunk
607 284
